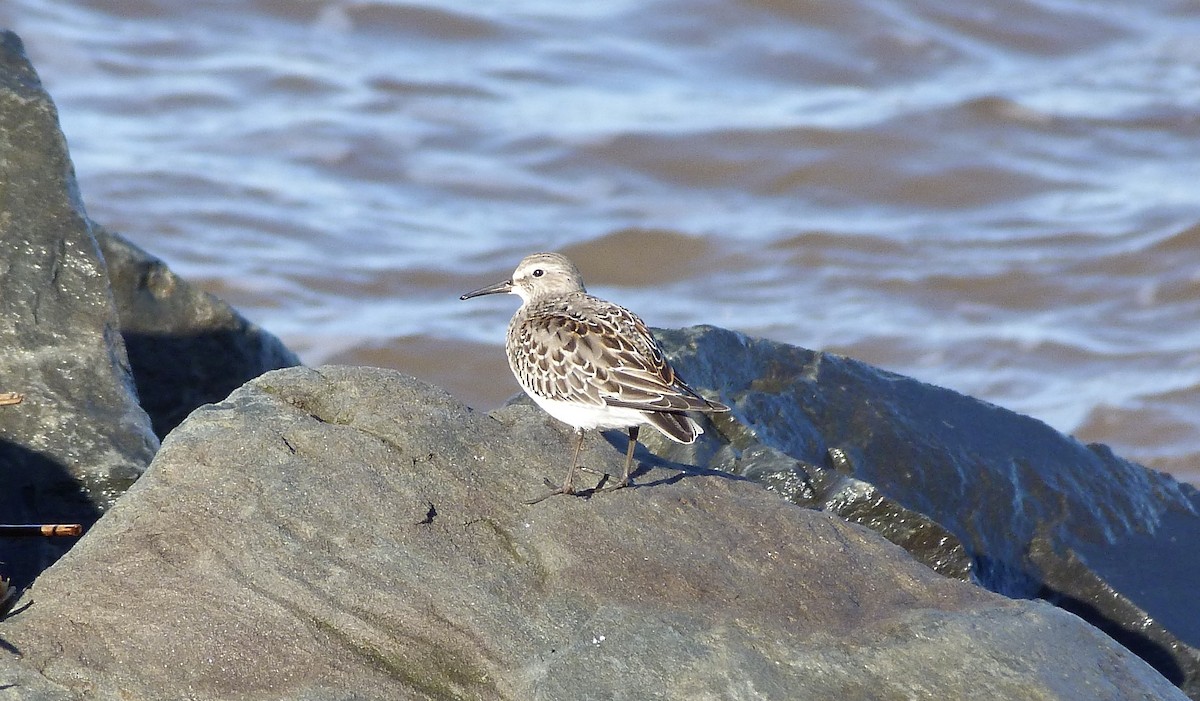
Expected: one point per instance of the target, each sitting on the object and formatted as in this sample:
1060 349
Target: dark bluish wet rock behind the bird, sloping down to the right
1040 513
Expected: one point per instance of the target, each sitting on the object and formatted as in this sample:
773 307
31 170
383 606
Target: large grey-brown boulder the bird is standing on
356 534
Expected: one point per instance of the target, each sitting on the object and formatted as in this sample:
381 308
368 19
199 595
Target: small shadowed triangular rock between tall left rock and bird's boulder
187 347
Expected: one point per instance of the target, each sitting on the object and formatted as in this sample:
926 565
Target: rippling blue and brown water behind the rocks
998 197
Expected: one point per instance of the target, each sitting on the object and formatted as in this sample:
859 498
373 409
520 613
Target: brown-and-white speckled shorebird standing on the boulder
590 363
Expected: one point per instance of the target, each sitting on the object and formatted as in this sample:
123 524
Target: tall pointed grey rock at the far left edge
80 439
